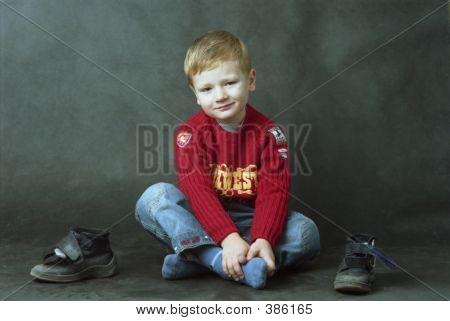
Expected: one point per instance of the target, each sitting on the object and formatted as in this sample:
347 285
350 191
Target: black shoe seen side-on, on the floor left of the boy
82 254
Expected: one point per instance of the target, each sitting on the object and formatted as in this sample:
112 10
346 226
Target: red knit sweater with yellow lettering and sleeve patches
215 165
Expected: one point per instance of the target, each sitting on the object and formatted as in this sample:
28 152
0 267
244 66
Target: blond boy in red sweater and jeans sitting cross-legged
229 214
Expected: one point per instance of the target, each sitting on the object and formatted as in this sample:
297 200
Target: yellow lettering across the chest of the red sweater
229 181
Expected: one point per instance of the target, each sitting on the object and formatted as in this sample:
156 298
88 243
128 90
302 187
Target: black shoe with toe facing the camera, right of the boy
355 273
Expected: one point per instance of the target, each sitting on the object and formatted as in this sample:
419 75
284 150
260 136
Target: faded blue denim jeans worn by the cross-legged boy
164 211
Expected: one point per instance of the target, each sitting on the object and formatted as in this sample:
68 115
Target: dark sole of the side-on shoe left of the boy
94 271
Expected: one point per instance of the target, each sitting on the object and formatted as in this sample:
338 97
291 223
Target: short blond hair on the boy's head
213 48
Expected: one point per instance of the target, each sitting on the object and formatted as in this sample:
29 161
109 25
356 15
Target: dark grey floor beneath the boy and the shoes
139 278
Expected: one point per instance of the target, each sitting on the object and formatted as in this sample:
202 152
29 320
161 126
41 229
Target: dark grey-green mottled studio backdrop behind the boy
372 143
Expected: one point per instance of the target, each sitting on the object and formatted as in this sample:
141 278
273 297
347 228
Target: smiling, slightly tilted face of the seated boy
223 92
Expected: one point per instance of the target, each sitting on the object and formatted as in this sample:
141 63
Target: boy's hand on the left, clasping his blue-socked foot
234 254
